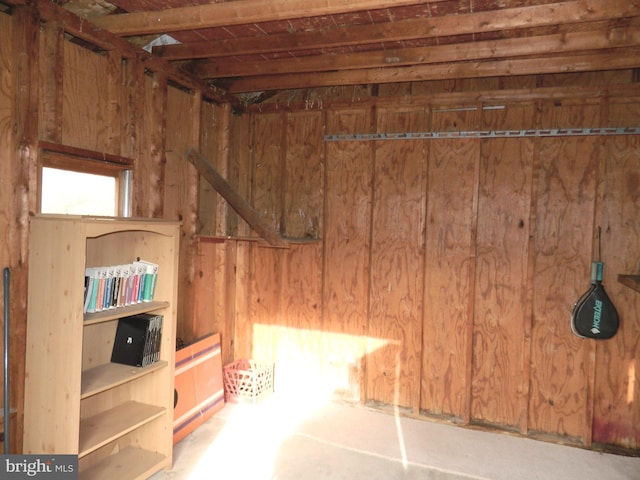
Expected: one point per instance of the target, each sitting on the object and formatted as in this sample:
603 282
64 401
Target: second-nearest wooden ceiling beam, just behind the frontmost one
577 11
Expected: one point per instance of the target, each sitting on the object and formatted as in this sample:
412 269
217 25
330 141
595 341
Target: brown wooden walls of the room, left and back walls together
431 276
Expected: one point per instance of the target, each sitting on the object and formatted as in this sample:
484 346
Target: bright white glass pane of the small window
76 193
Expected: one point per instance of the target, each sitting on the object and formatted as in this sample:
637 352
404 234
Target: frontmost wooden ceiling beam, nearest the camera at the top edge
235 13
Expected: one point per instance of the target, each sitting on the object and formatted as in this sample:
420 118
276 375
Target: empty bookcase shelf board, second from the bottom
106 426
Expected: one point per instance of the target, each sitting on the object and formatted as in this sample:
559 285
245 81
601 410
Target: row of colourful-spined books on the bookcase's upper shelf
119 285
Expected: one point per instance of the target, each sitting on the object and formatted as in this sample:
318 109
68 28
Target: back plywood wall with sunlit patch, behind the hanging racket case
444 271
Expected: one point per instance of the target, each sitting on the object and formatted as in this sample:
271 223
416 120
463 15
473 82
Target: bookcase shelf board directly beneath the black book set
109 375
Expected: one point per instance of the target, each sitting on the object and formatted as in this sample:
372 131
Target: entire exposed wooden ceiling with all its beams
252 49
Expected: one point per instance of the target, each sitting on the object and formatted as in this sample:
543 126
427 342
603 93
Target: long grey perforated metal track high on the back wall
549 132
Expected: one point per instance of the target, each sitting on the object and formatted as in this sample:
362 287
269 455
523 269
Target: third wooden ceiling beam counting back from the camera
482 50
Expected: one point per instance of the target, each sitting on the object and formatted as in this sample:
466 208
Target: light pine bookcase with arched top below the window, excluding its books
116 418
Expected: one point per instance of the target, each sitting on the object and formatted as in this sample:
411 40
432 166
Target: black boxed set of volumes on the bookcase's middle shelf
137 341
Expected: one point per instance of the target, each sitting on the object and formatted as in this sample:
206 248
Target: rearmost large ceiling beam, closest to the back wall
609 60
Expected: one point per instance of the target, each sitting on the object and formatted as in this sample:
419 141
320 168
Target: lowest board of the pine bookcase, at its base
136 462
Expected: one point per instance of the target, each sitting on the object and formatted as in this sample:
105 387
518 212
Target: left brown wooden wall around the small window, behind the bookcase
94 95
